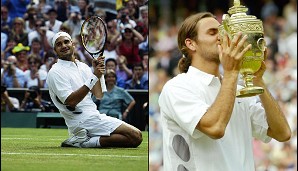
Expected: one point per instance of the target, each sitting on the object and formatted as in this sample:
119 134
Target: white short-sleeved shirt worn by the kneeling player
64 78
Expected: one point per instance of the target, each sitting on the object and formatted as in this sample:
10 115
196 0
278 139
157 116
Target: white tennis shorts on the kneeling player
99 125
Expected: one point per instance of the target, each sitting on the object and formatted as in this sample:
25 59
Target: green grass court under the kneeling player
24 149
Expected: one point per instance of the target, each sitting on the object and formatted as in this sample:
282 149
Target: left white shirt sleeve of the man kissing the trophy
184 108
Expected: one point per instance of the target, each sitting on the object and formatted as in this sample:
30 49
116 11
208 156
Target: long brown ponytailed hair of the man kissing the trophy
189 30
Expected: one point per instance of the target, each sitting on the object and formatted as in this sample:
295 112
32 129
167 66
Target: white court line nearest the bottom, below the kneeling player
89 155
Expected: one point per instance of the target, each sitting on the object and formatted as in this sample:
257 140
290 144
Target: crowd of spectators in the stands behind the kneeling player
27 28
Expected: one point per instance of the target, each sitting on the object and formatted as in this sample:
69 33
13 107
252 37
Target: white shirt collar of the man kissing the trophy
204 77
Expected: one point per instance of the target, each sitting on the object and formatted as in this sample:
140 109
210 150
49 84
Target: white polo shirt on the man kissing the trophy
183 101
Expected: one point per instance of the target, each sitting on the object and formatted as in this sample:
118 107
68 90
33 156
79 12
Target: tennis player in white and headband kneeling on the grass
71 84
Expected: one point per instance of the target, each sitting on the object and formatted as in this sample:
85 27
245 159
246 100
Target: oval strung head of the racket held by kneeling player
94 35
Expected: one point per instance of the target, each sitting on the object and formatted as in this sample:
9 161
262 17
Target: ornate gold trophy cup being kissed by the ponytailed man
252 27
